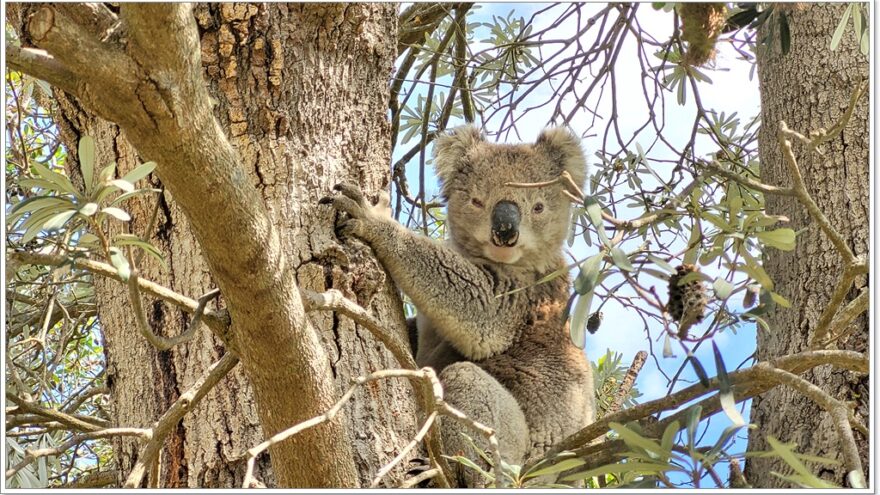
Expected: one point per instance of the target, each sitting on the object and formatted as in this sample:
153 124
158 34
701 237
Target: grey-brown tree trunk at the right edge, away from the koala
809 88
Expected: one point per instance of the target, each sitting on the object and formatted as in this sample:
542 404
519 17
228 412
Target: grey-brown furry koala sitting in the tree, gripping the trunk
494 334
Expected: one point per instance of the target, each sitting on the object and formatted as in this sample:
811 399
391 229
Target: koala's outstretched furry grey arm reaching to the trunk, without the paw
456 295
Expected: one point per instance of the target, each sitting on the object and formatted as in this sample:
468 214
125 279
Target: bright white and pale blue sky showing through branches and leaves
731 91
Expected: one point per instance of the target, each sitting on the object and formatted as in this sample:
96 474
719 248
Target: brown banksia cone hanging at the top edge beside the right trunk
701 23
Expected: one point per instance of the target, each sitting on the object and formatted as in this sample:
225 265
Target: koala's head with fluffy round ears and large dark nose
512 225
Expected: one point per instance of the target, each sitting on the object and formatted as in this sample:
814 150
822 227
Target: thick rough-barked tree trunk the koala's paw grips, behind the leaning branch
301 94
